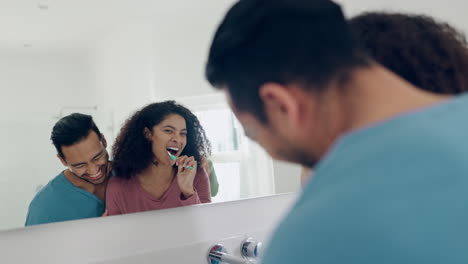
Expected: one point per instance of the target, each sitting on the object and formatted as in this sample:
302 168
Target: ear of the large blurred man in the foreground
280 103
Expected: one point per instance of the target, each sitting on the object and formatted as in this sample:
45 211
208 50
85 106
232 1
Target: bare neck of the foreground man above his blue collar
372 95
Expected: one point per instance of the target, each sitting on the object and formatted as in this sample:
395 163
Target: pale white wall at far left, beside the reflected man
34 89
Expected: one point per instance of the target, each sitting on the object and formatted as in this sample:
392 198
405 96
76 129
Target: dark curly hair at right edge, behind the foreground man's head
429 54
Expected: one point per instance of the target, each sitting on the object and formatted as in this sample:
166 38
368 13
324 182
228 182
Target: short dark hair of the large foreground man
305 42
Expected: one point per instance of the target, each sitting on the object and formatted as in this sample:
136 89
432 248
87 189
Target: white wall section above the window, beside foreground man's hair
181 43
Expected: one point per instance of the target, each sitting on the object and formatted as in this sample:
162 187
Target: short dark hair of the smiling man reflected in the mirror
71 129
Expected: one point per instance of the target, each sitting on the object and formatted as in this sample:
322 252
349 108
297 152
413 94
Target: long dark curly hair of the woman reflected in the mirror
132 151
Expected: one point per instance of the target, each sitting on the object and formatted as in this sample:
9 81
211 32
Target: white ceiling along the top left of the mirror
66 25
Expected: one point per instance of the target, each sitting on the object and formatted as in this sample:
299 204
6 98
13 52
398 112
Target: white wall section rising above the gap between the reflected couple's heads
123 72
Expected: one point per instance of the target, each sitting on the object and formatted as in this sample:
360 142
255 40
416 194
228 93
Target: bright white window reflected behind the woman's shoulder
242 168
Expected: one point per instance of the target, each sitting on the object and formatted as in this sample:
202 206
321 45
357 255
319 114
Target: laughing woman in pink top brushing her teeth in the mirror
156 161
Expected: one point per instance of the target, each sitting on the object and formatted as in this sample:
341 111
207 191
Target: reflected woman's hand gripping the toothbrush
186 170
